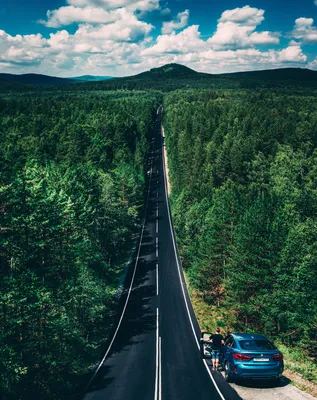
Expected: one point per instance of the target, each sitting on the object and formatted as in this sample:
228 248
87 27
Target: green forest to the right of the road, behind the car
243 170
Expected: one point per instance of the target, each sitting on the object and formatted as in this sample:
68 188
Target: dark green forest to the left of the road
71 194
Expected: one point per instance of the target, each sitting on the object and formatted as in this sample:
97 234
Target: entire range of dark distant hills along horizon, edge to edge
175 76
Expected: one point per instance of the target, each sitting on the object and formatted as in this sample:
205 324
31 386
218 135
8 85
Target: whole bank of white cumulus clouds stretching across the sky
113 37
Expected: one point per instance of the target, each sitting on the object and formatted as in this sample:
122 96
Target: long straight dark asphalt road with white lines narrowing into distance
155 350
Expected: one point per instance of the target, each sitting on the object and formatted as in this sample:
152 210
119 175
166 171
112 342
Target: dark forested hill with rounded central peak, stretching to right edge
175 76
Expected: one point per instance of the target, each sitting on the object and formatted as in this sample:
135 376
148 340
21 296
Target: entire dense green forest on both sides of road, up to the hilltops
243 169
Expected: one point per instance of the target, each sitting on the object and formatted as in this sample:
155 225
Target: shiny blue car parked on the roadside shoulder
251 356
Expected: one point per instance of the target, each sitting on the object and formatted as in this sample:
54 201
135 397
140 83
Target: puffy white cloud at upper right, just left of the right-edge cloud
236 29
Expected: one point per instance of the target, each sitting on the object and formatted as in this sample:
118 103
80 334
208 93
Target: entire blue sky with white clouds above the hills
124 37
